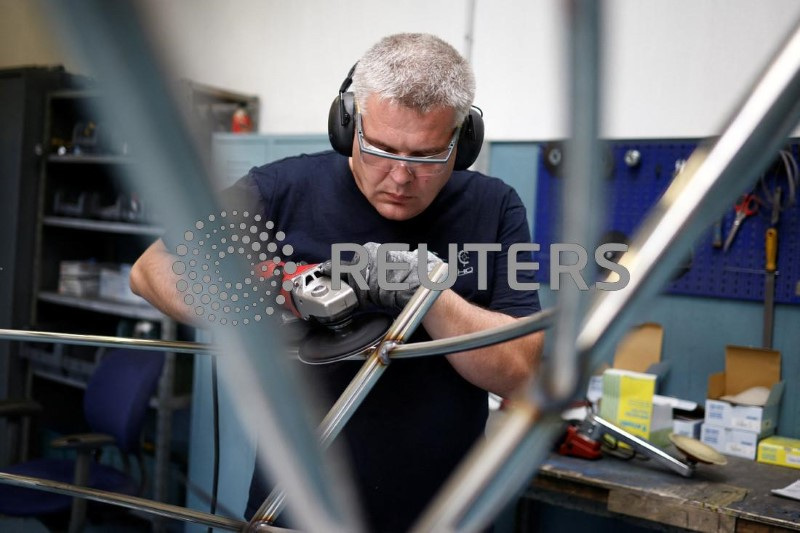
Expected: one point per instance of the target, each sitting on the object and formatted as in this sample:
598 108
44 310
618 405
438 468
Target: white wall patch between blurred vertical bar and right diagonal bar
678 68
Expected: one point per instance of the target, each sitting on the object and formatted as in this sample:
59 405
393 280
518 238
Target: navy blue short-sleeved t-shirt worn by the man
421 417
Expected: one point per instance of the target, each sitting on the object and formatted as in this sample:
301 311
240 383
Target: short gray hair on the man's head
418 71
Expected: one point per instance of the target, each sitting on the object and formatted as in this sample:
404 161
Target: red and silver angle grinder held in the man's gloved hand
337 328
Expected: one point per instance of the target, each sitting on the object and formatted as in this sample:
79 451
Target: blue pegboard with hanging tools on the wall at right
632 191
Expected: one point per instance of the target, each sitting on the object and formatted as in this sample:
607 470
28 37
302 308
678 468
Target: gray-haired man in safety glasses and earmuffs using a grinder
403 140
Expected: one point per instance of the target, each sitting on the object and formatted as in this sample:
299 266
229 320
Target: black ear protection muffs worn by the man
342 127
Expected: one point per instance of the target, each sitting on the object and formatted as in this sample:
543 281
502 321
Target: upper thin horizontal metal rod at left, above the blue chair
107 341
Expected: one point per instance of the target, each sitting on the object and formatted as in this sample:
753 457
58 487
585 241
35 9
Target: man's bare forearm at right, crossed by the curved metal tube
501 368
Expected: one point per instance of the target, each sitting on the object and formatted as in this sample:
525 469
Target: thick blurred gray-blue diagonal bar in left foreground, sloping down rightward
175 182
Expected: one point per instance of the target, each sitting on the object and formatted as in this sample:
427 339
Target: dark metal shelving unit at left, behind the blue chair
83 216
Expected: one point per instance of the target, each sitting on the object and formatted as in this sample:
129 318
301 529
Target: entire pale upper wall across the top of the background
674 68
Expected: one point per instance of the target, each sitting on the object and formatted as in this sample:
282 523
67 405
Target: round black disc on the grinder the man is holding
325 345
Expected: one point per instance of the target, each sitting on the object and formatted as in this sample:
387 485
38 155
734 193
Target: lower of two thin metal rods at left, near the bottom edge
123 500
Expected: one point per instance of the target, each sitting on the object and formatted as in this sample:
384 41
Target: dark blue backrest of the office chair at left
118 394
